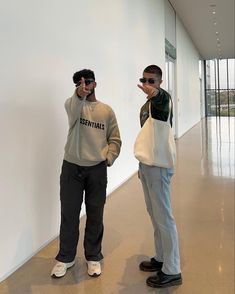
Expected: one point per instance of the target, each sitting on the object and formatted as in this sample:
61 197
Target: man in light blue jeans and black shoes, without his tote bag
156 186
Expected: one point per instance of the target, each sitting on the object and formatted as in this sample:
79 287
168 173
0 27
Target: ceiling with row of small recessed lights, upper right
210 23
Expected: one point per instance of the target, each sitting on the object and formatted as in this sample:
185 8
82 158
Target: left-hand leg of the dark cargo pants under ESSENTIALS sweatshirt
71 197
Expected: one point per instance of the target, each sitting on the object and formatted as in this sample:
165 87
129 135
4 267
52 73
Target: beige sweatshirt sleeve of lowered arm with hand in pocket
113 139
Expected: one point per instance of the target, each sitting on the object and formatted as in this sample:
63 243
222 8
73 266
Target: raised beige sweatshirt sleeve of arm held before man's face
73 107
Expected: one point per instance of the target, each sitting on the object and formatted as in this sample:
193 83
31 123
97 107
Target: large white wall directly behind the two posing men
42 44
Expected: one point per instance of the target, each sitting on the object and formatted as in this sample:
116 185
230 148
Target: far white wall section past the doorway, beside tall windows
187 75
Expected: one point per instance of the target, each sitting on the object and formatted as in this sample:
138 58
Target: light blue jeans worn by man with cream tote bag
156 186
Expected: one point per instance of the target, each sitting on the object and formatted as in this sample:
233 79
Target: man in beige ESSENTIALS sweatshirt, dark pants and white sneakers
93 143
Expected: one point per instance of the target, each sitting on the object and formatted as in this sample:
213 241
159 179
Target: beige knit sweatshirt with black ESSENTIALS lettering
93 132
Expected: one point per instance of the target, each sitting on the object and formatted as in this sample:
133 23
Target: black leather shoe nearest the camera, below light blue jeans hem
161 280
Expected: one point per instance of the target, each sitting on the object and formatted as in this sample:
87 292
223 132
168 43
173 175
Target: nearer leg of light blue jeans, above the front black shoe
158 182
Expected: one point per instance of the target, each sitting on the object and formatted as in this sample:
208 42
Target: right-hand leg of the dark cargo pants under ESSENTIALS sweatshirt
95 197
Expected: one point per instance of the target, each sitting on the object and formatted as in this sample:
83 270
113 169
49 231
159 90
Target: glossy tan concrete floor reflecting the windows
203 203
